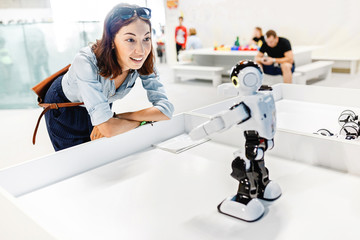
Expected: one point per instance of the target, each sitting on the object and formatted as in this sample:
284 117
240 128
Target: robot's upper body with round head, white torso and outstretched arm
246 77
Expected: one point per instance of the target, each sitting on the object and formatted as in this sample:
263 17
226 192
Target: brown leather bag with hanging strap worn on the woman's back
41 89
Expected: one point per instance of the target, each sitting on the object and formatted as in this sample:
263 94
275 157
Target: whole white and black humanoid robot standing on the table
255 115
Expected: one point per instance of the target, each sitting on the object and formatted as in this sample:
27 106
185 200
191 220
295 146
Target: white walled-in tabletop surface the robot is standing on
159 195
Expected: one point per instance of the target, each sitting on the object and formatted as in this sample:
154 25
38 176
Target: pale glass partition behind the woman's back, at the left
31 52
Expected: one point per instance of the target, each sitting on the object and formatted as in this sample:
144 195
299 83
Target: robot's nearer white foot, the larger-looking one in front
249 212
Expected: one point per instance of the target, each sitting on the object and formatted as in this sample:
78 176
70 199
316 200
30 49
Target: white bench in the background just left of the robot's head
198 72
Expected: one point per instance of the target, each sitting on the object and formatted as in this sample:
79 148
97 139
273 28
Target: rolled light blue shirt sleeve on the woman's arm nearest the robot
156 94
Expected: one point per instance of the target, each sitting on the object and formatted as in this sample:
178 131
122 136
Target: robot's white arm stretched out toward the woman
235 115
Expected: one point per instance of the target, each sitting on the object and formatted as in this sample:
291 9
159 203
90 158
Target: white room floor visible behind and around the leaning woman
18 125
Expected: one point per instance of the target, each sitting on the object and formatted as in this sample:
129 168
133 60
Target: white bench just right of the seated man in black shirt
319 69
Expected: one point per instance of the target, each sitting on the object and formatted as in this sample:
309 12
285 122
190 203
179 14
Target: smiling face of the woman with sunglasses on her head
133 45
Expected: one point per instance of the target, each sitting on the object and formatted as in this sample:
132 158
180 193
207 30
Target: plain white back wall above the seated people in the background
333 23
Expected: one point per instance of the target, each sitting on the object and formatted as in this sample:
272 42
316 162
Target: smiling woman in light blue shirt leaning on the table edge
103 73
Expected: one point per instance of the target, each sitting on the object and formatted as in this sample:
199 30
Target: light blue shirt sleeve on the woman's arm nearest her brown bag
85 74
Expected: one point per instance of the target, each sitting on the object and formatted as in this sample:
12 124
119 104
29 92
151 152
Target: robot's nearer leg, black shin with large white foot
244 205
